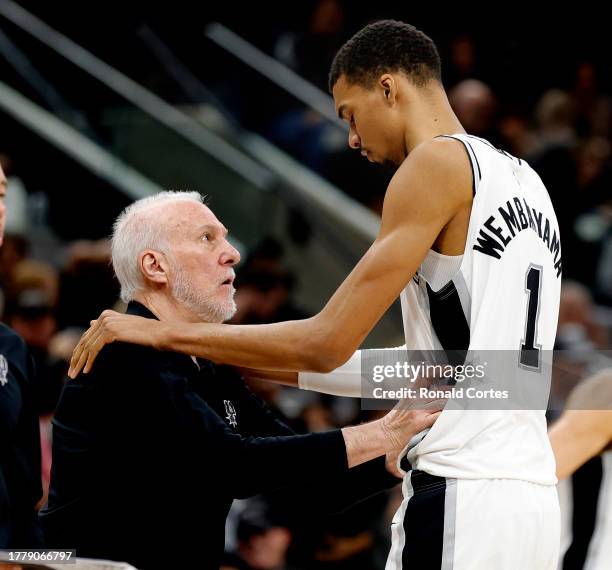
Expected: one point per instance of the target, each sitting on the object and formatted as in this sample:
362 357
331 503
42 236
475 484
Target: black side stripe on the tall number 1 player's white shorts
424 522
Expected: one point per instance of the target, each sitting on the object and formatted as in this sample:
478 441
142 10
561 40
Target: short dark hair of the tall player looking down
386 46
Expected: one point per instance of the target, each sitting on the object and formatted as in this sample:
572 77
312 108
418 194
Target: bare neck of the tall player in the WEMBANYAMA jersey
431 117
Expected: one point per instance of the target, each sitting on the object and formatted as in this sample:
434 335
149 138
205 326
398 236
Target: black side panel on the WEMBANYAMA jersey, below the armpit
449 322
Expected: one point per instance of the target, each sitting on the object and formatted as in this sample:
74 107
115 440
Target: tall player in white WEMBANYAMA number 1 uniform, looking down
470 242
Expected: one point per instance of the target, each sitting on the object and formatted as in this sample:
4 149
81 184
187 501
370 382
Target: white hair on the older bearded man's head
136 230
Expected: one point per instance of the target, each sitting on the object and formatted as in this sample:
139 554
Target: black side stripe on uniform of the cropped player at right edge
586 487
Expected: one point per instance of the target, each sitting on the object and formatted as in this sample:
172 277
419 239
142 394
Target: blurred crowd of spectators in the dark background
51 290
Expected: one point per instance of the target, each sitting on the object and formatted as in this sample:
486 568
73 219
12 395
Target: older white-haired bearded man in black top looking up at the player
151 448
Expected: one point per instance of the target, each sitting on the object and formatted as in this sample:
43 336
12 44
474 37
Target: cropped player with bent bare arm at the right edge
582 442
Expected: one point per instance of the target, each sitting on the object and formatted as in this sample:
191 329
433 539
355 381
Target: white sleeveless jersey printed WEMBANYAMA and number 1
502 294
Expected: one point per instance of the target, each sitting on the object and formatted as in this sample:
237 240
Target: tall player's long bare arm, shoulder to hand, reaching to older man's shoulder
432 184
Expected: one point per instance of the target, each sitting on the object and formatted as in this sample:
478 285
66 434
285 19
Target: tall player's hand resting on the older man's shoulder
111 327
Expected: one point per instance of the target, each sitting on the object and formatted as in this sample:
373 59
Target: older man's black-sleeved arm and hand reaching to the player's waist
272 462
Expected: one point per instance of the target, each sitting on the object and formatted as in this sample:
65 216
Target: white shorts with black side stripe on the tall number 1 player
474 524
